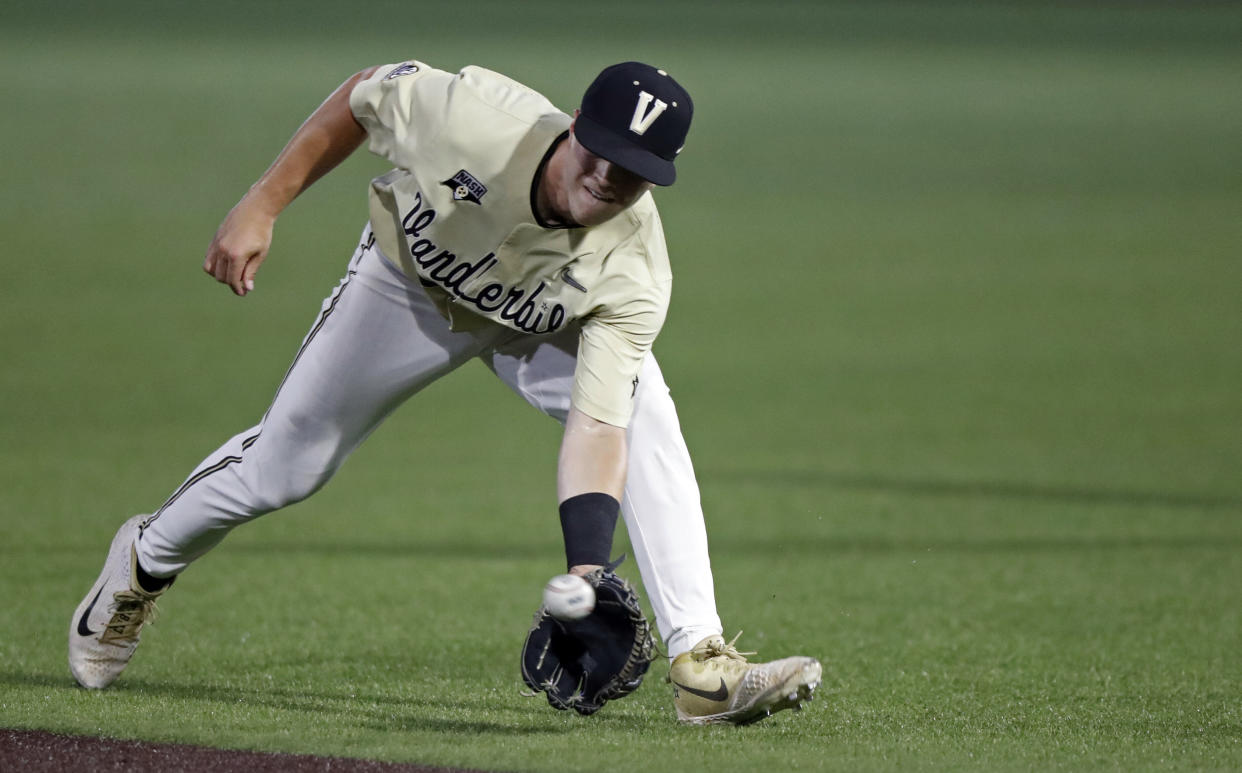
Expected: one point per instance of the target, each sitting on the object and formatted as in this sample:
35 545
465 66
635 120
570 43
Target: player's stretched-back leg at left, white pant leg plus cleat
377 341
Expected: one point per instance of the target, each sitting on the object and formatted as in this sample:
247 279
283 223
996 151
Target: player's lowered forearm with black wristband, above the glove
591 482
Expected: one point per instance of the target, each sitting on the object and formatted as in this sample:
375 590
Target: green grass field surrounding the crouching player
957 341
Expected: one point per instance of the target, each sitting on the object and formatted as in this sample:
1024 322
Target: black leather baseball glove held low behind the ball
583 664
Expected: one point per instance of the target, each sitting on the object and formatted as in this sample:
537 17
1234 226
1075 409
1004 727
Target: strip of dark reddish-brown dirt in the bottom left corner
38 751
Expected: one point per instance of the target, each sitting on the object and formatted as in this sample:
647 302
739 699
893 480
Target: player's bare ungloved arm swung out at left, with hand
320 145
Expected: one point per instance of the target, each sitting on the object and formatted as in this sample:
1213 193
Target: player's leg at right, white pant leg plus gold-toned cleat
714 683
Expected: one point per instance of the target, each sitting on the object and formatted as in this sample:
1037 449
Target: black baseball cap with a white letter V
637 117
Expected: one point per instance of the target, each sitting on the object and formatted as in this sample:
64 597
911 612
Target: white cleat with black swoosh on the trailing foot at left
106 627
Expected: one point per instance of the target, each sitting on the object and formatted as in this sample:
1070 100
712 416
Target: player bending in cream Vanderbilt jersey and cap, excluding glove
507 232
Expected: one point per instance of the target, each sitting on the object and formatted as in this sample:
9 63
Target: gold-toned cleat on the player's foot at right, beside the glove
715 684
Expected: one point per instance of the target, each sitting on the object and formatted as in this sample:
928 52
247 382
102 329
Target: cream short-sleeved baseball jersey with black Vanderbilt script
458 213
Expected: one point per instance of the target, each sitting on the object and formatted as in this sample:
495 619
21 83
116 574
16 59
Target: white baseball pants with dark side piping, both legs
378 341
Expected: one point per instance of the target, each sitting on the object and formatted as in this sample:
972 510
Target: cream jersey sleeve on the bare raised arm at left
402 107
